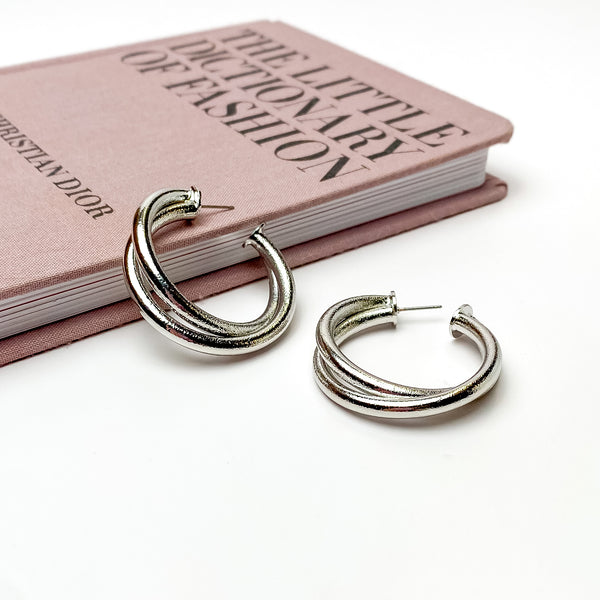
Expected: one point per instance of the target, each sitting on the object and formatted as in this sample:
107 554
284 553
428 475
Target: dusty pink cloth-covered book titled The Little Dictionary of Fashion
329 149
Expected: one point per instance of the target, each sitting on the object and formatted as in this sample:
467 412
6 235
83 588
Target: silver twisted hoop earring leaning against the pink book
186 323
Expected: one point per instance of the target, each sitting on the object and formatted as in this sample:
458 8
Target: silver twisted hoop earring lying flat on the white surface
354 388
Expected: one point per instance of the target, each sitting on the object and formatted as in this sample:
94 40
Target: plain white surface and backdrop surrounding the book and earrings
132 469
